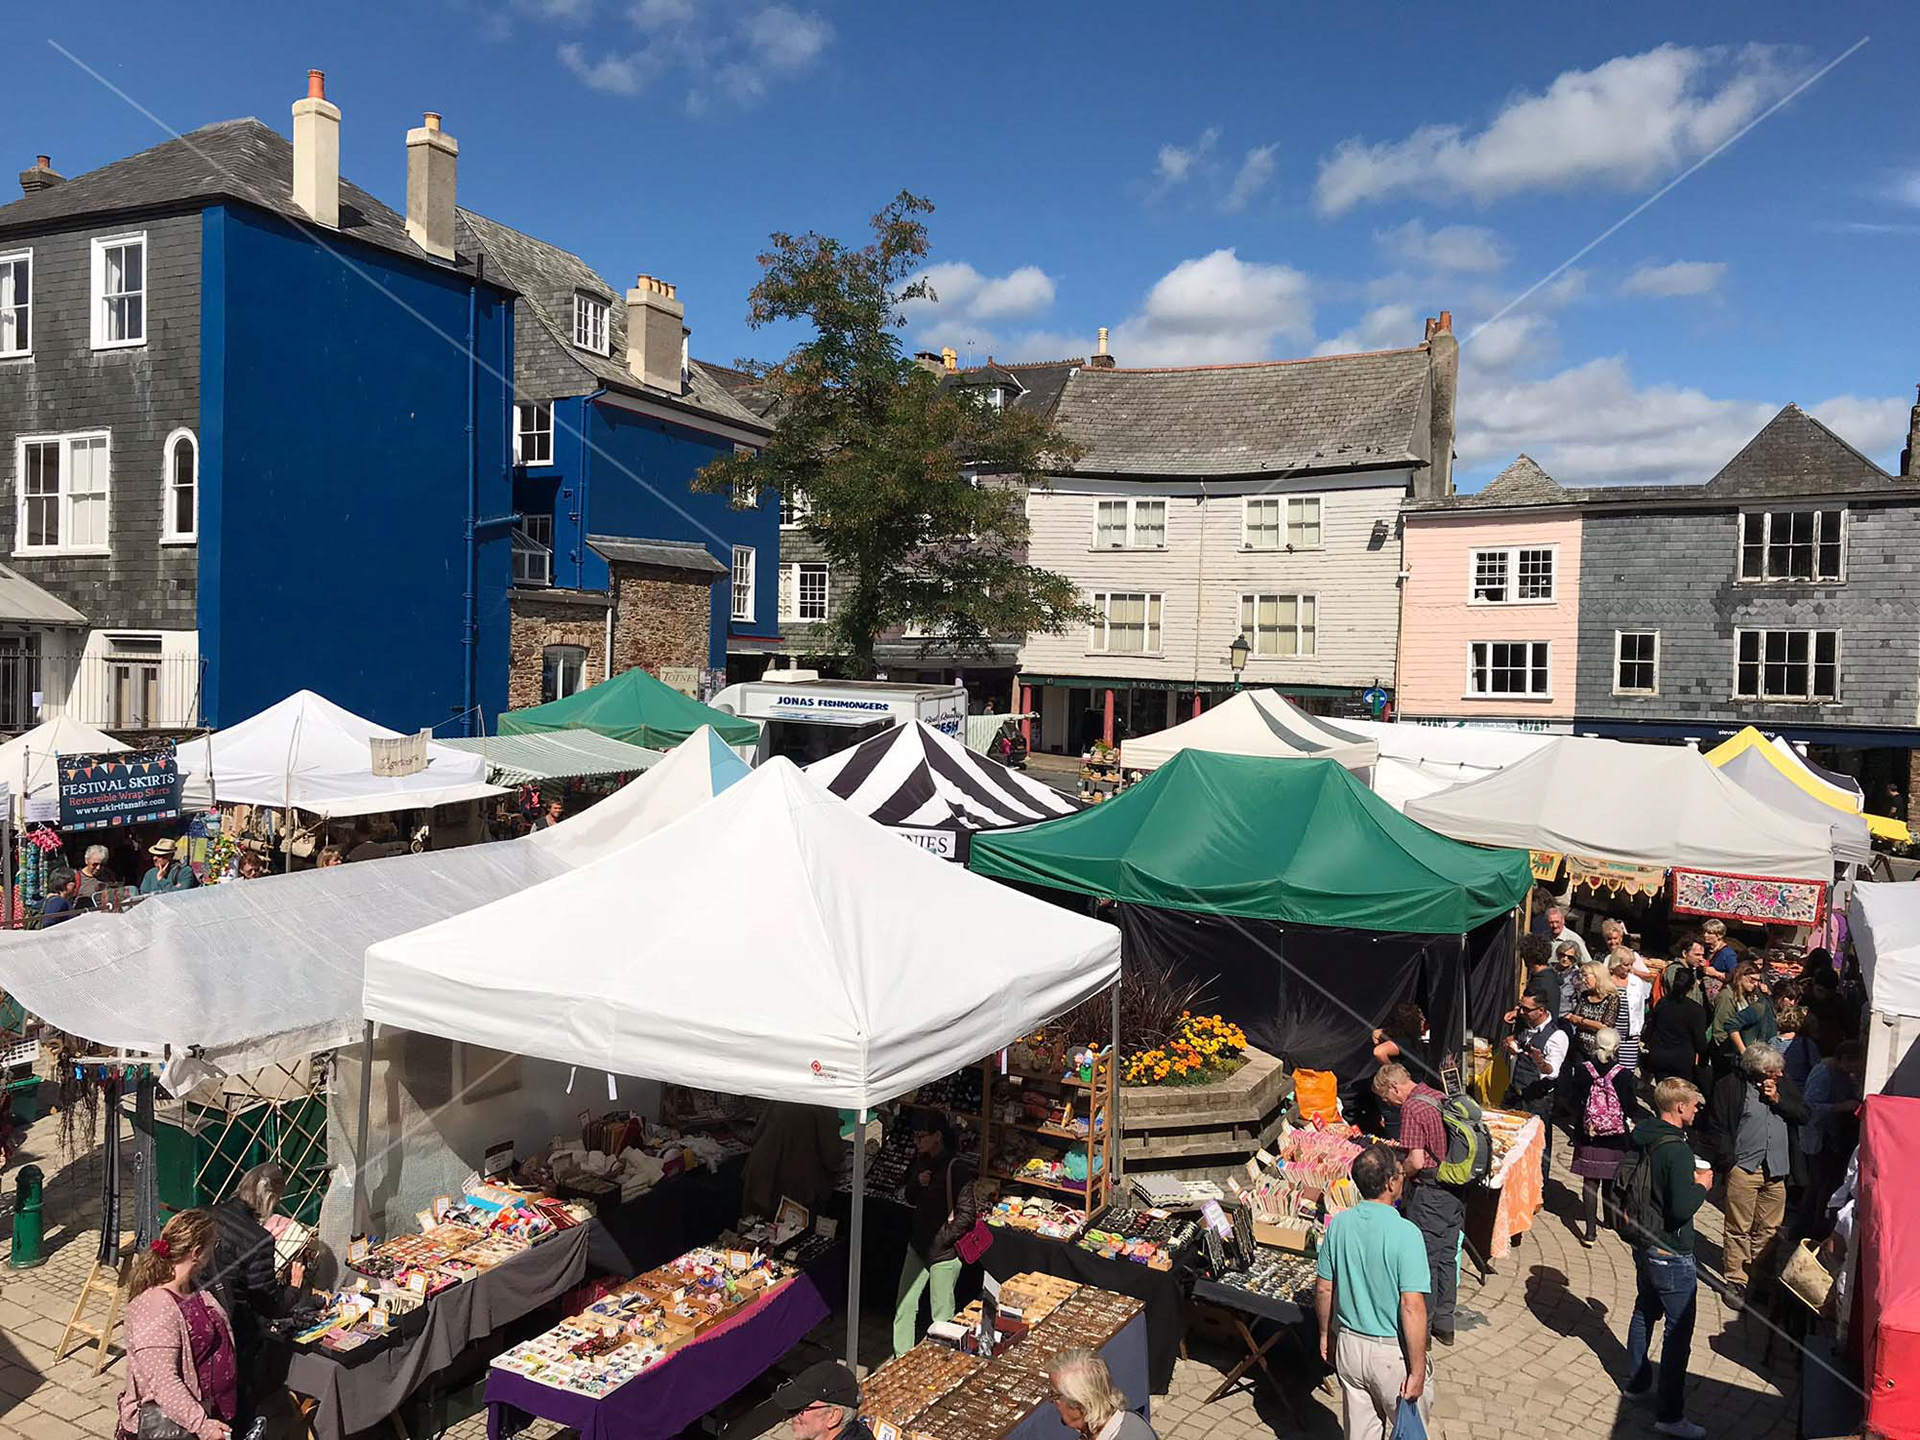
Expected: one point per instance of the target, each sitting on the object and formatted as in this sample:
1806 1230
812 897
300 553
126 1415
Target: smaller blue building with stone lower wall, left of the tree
617 562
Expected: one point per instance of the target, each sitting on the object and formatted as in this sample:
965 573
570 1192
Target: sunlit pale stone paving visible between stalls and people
1541 1345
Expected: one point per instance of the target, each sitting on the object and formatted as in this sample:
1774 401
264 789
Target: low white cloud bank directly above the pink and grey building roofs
1595 425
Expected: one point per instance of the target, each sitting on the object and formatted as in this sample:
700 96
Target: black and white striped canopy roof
915 777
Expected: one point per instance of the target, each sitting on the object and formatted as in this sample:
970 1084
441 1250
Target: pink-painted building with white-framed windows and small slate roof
1491 604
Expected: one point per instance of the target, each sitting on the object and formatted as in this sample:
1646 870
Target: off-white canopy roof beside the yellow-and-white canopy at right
1652 805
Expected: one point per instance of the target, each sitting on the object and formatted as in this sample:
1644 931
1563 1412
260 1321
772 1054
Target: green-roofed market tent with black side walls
1305 901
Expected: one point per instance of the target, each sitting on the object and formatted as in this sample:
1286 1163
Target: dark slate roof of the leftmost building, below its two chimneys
241 160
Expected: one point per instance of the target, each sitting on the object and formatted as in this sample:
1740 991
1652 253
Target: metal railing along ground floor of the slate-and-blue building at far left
116 690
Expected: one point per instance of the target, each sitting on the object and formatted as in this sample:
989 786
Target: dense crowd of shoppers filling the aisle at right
1700 1076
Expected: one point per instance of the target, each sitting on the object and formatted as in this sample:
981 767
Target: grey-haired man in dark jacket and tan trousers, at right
1752 1134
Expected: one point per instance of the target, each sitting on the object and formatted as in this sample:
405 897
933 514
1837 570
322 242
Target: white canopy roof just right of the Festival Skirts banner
312 756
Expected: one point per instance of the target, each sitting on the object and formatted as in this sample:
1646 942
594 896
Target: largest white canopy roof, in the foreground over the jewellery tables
773 944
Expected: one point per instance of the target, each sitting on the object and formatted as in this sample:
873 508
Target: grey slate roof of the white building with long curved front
1326 414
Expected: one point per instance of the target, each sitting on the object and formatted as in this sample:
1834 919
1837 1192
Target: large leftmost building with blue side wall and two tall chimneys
260 439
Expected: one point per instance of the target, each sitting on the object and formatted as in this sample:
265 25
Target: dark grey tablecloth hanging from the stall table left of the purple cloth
360 1397
